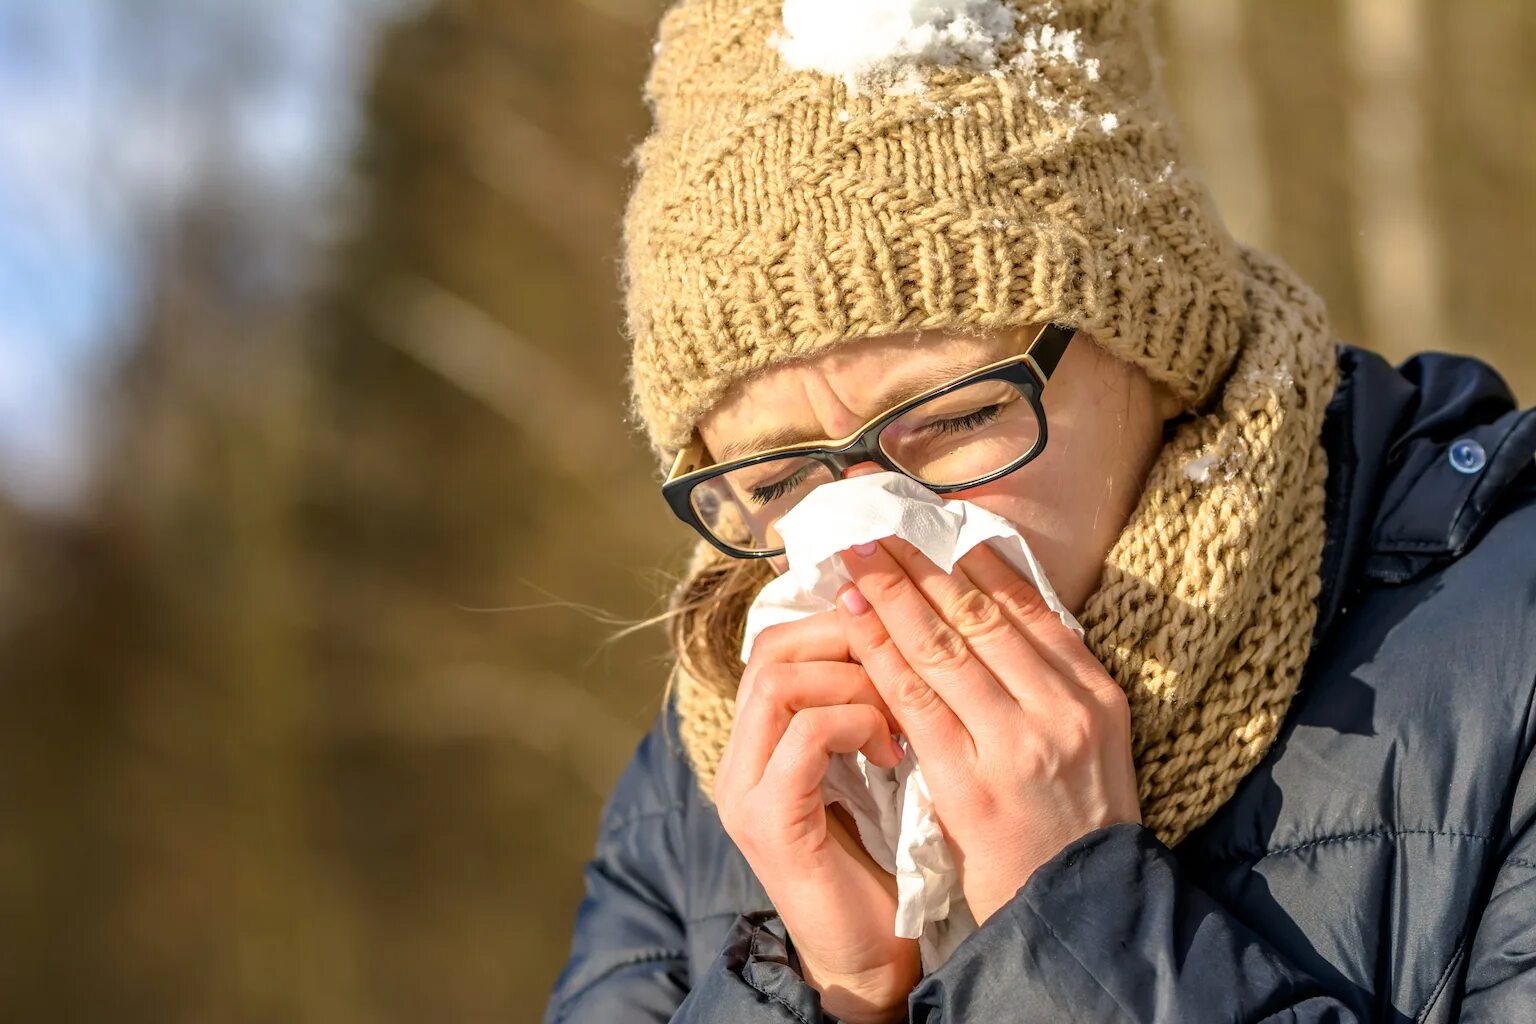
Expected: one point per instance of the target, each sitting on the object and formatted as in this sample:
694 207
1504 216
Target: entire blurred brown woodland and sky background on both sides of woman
317 509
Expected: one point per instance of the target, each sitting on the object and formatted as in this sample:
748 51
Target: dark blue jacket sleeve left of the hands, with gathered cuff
629 962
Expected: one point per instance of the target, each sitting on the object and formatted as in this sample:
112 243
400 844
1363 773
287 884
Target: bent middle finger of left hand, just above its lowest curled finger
783 692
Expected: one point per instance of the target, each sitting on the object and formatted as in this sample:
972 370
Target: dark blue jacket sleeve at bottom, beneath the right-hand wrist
1111 931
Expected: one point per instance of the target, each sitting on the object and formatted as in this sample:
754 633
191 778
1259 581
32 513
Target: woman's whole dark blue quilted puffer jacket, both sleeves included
1379 865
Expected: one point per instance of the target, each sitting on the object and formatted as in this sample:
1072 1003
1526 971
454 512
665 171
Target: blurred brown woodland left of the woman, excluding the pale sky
305 768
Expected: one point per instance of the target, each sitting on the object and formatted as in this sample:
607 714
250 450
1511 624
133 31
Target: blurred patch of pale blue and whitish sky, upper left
113 111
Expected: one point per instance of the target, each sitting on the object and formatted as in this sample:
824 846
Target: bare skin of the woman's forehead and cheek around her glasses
1071 503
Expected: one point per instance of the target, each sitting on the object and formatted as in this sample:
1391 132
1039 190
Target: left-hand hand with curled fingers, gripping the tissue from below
801 701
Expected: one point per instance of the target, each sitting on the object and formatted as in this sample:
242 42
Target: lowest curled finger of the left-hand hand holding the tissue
799 764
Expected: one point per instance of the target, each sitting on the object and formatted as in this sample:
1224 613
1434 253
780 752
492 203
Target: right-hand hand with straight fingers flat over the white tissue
1024 738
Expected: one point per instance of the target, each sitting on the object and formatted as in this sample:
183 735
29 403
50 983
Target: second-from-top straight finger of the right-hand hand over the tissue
987 627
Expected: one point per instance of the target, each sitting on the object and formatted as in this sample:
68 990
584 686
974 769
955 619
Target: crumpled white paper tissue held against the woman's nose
892 807
